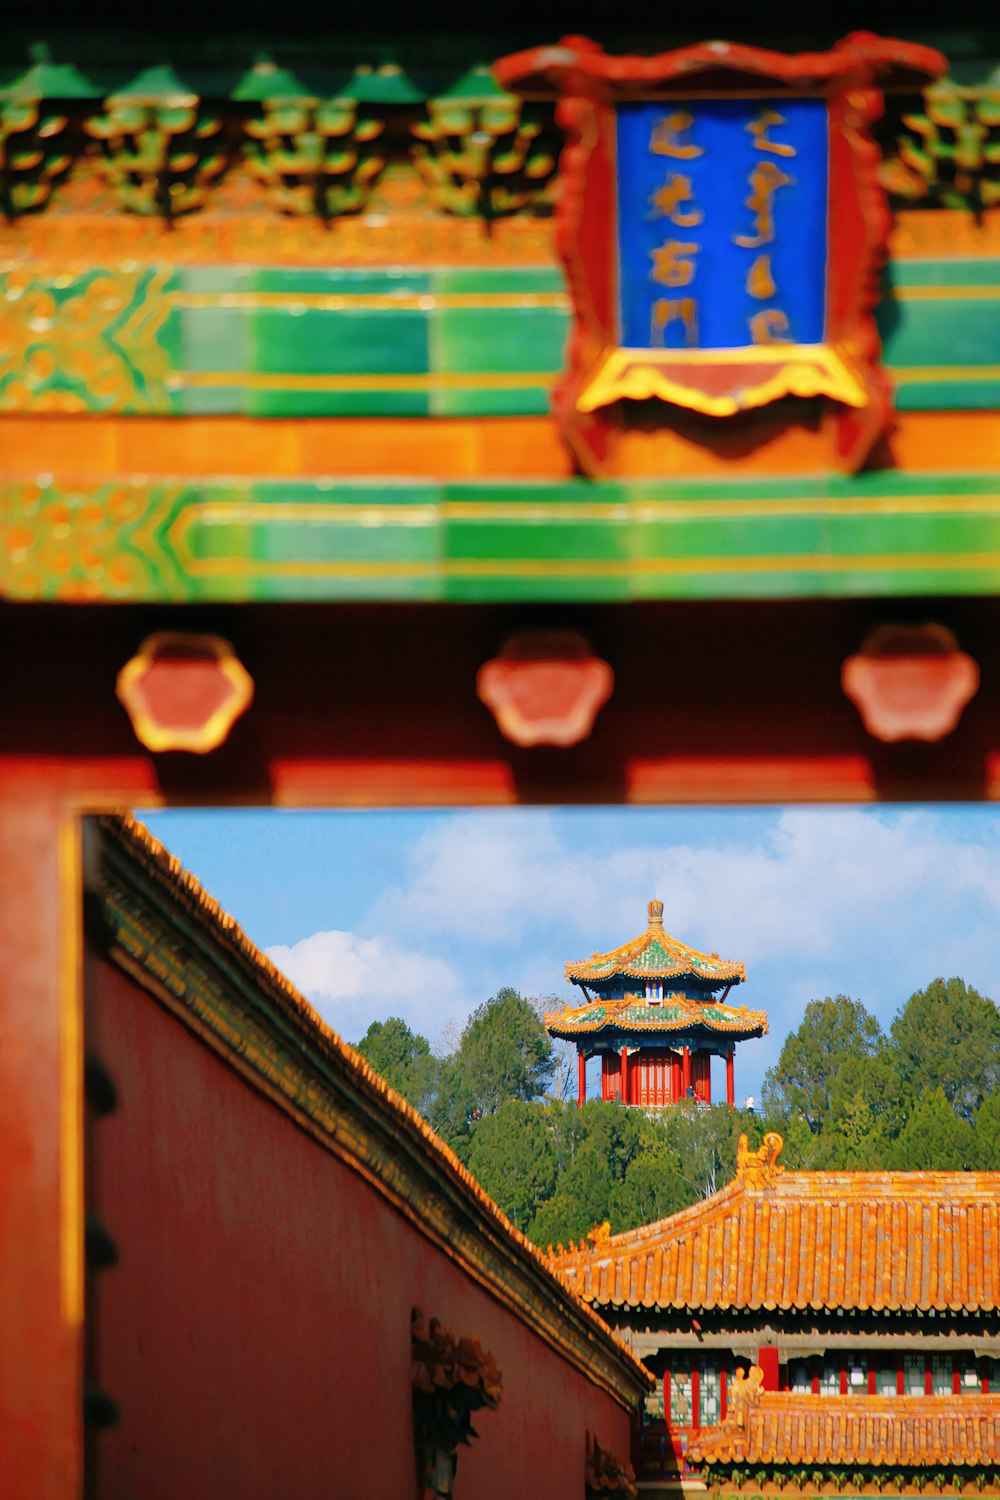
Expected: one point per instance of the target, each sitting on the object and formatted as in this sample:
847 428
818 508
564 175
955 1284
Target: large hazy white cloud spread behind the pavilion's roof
873 904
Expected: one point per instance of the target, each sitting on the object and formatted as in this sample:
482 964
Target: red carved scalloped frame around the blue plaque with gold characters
590 85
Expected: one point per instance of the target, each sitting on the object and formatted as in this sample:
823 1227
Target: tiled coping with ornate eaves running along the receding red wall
154 920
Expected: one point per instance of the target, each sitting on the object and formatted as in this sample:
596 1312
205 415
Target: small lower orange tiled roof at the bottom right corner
866 1432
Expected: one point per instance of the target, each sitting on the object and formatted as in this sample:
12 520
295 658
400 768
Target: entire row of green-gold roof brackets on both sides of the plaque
325 137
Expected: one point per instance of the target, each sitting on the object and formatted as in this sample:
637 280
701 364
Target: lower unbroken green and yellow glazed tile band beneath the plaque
873 535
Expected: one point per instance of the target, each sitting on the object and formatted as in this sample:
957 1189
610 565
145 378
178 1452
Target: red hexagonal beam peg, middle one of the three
545 688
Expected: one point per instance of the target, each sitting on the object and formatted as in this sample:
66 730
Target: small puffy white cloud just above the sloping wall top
356 980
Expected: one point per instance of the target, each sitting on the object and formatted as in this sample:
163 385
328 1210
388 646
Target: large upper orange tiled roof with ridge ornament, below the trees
807 1240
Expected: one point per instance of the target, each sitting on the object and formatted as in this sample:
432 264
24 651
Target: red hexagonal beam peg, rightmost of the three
911 682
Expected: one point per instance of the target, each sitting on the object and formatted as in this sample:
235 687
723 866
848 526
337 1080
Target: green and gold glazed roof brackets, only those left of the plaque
163 145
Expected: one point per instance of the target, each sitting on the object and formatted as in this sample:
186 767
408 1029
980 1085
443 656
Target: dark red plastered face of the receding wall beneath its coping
257 1327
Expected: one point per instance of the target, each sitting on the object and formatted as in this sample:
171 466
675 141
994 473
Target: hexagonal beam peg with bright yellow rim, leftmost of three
184 692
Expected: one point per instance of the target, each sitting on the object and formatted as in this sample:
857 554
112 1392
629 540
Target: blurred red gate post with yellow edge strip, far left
40 1318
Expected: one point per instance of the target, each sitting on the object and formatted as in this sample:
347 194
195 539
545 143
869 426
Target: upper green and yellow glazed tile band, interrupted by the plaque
271 343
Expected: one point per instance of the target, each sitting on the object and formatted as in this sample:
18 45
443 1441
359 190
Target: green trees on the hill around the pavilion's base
845 1094
